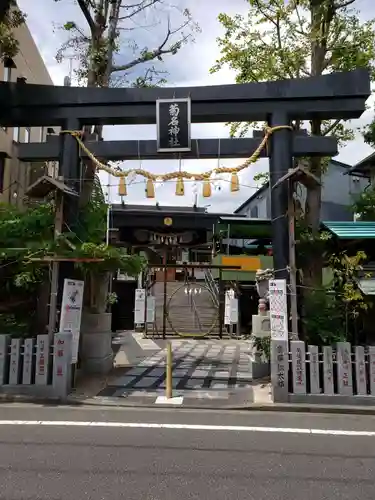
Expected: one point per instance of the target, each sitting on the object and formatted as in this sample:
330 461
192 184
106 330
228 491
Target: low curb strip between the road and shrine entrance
250 407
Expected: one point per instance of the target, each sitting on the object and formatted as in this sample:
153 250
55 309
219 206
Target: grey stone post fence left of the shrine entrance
34 366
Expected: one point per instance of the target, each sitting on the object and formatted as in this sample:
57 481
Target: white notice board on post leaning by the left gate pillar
71 312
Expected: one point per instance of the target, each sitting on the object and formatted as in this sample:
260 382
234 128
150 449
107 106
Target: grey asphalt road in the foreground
178 455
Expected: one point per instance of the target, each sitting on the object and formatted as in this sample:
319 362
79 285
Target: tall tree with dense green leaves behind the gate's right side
279 40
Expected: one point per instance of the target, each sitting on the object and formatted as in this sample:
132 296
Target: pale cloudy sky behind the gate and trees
190 67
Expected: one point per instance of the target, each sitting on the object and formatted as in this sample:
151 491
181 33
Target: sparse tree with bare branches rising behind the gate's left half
100 44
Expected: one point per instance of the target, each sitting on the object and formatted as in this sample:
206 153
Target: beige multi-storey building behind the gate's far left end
15 176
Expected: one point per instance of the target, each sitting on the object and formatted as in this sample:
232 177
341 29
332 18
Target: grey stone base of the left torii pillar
96 347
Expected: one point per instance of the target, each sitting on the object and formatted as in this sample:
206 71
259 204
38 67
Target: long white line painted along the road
192 427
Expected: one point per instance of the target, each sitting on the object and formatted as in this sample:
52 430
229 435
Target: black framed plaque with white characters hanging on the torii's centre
173 121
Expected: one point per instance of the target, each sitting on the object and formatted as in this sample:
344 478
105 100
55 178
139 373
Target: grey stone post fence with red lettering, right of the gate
303 373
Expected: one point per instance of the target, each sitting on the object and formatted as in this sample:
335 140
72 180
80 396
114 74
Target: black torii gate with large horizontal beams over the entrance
334 96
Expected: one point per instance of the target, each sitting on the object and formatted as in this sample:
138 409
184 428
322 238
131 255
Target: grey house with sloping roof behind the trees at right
339 191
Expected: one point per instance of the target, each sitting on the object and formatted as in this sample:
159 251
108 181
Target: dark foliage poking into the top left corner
10 18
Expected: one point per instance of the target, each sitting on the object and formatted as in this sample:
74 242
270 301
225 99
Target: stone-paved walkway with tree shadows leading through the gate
202 369
